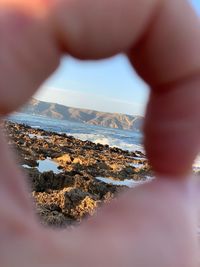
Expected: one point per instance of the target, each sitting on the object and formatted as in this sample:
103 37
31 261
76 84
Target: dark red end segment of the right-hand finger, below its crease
172 127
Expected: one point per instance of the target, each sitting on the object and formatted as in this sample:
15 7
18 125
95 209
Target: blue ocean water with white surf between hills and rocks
126 140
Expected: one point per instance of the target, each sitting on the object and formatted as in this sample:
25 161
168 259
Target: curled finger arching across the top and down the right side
163 38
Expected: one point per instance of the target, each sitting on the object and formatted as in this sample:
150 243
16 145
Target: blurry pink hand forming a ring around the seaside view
154 225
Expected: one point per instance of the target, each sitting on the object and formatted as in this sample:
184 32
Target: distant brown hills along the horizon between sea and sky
110 120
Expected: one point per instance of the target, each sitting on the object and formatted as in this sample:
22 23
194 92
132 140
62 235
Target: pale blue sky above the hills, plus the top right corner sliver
109 85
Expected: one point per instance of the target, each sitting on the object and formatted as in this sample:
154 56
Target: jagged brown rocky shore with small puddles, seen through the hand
69 178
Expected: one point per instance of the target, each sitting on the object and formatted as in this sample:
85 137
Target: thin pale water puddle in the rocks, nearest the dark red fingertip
128 183
